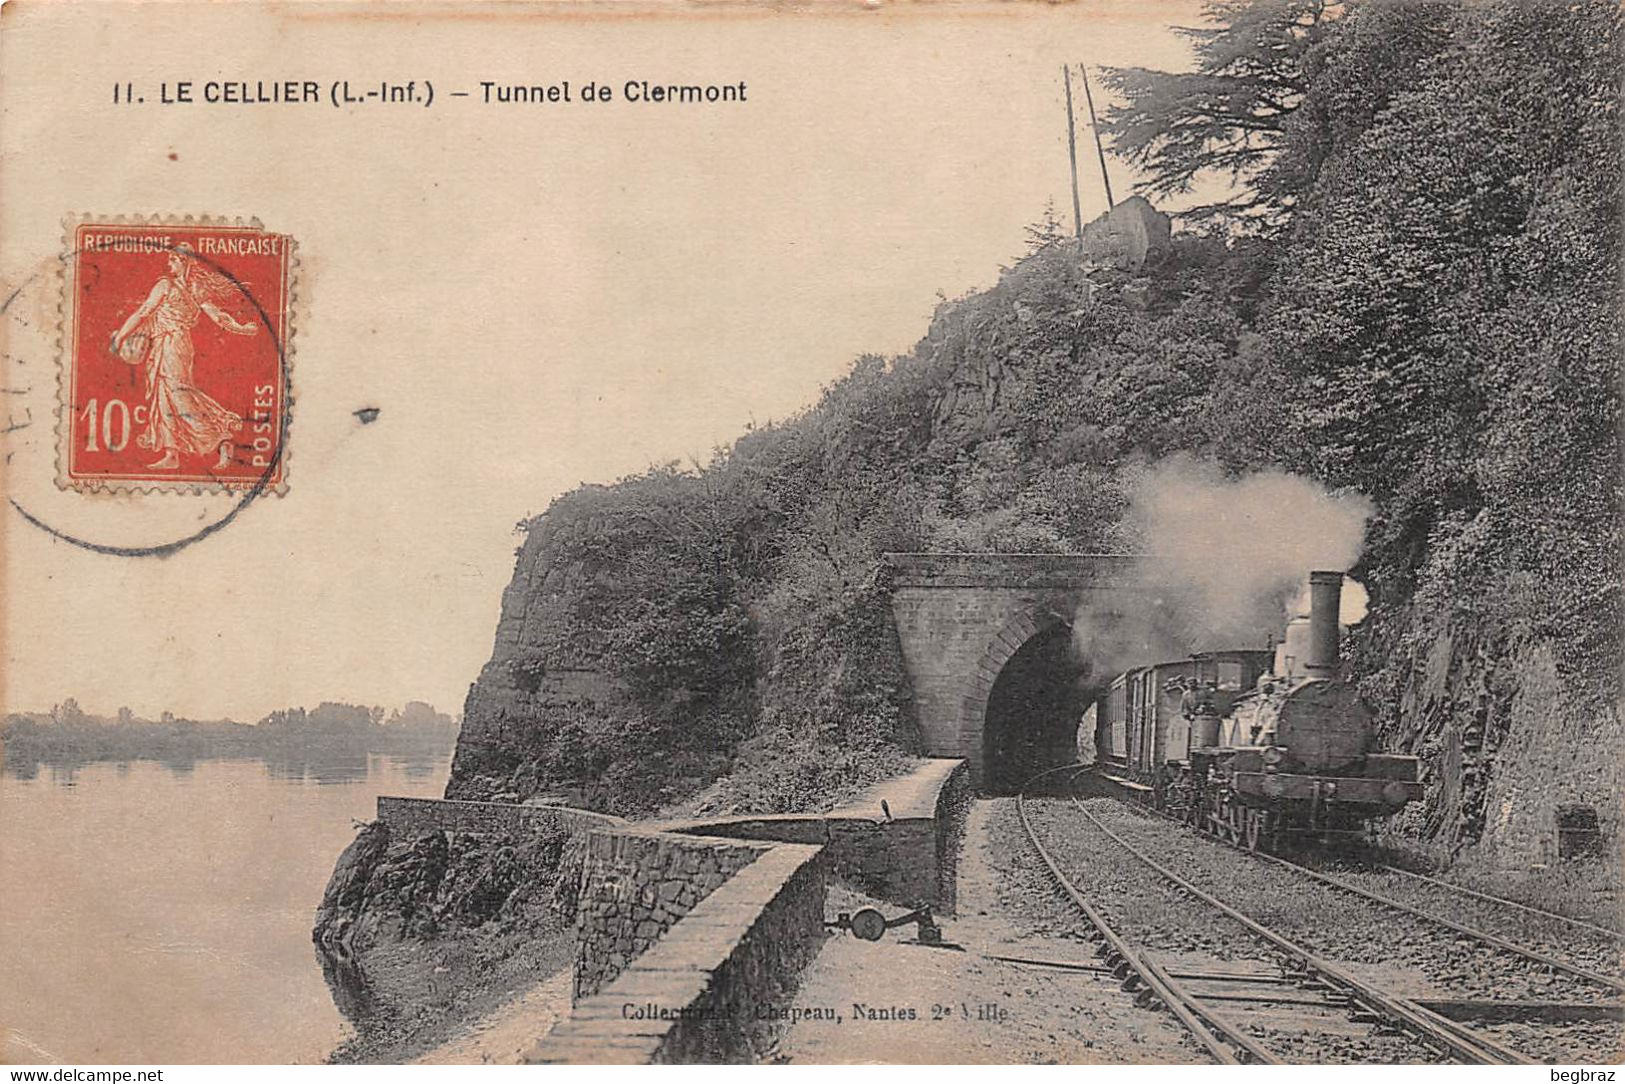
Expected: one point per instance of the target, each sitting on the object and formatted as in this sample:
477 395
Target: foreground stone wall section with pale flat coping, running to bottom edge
696 995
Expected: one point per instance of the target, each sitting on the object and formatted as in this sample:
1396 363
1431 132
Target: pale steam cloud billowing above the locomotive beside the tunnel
1228 563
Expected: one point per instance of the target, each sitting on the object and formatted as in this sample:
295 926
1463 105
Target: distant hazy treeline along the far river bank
71 734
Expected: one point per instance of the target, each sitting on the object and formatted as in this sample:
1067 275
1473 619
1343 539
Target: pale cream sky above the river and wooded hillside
531 297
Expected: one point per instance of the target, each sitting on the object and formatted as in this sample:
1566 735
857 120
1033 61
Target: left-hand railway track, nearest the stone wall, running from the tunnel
1247 1008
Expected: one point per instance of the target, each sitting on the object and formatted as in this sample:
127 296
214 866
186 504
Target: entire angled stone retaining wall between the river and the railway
688 930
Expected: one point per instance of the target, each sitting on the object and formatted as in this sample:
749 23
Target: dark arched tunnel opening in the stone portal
1034 711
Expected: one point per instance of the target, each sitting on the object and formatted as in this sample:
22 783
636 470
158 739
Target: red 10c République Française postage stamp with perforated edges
175 357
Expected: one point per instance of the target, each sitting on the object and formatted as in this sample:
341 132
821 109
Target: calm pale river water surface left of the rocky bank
162 913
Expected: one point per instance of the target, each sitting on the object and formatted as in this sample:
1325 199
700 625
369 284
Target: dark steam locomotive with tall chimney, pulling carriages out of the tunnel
1260 748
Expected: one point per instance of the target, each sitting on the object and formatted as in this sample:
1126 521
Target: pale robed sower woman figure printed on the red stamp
180 415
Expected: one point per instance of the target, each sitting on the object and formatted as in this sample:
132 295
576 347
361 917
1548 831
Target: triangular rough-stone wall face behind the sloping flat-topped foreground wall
636 885
